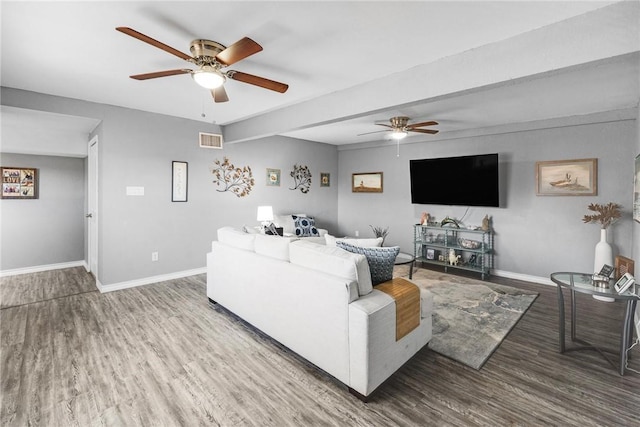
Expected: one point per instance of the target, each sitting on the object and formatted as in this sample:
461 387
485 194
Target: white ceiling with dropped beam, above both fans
336 56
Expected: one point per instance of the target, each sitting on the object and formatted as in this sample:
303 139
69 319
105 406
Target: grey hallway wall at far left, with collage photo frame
50 229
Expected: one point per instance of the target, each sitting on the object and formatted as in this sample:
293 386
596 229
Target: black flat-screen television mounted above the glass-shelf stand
465 181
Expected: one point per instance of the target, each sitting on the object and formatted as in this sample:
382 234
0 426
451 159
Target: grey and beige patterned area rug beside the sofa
471 317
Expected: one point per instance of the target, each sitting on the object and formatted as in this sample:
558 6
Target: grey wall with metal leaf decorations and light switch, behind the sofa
137 148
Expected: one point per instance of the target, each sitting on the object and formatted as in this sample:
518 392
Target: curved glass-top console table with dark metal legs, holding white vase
582 283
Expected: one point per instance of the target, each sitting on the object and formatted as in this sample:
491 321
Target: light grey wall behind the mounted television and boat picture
535 235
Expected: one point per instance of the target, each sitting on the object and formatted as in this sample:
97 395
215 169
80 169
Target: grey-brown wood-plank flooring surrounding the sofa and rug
162 355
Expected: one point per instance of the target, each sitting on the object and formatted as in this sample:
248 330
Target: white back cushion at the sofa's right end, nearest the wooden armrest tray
332 260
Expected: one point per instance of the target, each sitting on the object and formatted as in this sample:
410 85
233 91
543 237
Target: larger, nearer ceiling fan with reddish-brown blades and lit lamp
210 57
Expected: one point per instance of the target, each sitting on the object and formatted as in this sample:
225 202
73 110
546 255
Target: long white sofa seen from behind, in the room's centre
318 301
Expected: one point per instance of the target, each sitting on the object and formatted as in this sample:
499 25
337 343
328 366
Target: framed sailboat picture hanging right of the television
567 177
